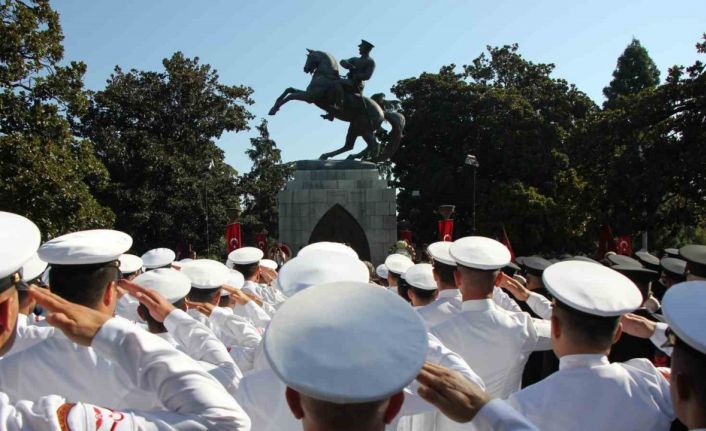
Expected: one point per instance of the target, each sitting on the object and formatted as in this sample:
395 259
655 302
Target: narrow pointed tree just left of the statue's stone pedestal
260 186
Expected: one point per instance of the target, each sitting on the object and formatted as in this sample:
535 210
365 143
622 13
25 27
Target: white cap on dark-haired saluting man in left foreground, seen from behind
86 247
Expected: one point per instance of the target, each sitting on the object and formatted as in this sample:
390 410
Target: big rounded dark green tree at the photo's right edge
643 159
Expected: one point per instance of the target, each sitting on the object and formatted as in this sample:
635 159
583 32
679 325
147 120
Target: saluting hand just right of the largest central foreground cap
455 396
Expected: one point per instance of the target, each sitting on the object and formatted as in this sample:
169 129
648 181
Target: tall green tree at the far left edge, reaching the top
47 173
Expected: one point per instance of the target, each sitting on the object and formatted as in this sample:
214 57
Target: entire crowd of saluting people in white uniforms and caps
93 338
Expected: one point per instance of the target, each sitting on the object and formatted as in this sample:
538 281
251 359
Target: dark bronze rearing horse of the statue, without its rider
364 115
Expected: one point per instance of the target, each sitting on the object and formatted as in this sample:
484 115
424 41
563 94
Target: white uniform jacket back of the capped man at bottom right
589 393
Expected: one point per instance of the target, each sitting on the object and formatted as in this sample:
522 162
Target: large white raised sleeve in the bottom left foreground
194 399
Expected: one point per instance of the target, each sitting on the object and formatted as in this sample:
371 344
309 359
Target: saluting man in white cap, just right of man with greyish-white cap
237 333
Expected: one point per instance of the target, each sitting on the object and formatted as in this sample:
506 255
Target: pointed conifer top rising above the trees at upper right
634 72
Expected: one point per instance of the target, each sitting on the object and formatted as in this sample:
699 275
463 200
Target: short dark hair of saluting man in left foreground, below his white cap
82 284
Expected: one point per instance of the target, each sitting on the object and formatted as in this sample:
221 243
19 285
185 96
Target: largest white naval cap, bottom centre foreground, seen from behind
385 343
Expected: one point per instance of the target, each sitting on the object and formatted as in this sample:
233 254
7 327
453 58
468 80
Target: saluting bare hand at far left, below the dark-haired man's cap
79 323
